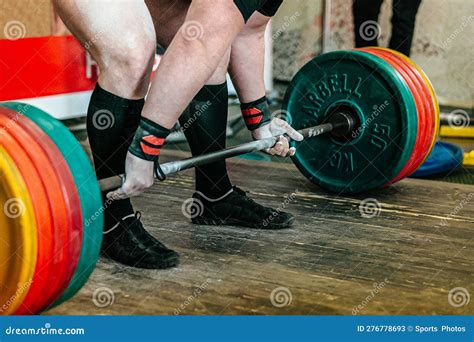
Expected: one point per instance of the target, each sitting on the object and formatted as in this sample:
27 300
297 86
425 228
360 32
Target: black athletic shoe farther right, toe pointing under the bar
237 209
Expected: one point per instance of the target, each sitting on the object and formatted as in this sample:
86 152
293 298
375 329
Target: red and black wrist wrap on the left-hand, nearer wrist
148 140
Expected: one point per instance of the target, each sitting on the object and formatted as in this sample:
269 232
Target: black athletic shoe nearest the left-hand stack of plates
130 244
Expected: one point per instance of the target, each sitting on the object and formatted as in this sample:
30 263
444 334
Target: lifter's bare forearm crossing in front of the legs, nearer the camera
192 58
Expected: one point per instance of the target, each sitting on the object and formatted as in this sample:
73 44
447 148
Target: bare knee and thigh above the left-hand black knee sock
120 36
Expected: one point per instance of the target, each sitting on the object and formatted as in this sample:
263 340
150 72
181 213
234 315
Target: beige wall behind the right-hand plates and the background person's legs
443 43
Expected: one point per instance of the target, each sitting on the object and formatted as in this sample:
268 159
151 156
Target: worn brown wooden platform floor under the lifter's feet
403 261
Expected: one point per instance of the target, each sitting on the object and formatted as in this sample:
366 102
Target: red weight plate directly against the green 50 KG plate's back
421 136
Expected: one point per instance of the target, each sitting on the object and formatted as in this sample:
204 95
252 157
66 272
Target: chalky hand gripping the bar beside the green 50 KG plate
278 127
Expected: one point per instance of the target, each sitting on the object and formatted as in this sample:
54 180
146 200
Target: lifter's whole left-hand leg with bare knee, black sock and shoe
122 41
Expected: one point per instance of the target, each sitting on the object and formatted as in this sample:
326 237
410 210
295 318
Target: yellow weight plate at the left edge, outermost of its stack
18 242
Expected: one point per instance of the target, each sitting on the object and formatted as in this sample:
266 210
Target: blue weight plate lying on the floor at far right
443 159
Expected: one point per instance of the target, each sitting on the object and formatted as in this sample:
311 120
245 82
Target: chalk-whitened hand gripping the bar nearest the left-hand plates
139 176
